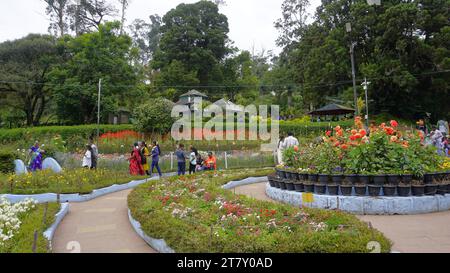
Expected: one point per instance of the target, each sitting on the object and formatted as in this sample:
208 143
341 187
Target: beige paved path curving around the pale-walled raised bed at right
410 233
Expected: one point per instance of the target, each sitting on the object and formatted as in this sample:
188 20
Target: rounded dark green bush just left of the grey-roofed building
154 116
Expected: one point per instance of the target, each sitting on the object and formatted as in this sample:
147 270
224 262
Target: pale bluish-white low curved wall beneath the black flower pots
366 205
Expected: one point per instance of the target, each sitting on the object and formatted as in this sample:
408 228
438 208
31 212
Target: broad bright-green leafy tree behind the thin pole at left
105 55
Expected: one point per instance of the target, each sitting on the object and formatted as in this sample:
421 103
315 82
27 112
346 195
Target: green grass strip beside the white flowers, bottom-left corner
22 242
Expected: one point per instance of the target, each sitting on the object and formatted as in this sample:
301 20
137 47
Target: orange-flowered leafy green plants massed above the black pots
384 149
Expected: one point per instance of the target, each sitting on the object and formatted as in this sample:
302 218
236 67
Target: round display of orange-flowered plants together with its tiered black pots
388 162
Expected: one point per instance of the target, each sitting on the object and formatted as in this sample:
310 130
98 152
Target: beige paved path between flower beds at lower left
99 226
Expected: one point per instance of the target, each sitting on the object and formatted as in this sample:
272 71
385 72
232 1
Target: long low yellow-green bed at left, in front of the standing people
69 181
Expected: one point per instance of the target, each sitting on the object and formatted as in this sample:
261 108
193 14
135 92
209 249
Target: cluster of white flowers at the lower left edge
9 218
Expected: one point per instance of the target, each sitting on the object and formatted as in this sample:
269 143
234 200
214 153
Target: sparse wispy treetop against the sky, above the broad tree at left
88 15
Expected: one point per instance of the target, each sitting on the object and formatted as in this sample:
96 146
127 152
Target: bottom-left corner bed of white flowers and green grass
19 221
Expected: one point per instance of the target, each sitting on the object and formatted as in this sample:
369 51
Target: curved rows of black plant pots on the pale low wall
347 187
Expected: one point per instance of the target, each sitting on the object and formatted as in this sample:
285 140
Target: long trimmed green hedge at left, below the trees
36 133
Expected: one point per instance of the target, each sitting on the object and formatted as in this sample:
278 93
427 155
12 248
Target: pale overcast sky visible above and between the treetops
251 21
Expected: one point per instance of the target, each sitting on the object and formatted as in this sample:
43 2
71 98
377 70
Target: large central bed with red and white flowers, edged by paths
193 214
